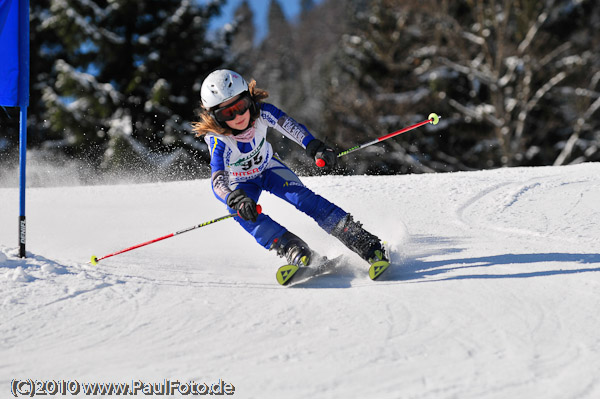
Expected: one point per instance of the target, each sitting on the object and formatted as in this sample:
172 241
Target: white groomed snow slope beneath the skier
495 290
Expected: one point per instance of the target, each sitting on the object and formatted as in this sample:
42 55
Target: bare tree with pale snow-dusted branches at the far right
514 59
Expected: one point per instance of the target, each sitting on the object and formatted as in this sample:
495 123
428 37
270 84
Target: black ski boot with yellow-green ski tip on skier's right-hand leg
365 244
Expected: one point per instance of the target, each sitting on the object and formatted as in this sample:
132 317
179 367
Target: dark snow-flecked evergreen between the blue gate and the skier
131 74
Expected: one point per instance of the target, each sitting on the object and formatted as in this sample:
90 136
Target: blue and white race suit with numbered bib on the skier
247 161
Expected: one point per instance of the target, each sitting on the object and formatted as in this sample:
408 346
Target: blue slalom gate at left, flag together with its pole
14 83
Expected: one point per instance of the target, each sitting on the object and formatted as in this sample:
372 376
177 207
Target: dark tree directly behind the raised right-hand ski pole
377 86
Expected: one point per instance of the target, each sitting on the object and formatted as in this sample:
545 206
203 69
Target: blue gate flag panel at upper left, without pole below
14 53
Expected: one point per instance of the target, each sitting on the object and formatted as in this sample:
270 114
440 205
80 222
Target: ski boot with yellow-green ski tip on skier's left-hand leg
296 252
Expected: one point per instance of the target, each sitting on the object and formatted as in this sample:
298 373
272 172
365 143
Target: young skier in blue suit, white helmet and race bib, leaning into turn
234 121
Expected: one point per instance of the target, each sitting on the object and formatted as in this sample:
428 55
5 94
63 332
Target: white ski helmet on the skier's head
220 86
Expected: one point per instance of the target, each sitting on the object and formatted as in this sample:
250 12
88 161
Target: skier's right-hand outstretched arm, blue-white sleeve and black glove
297 132
